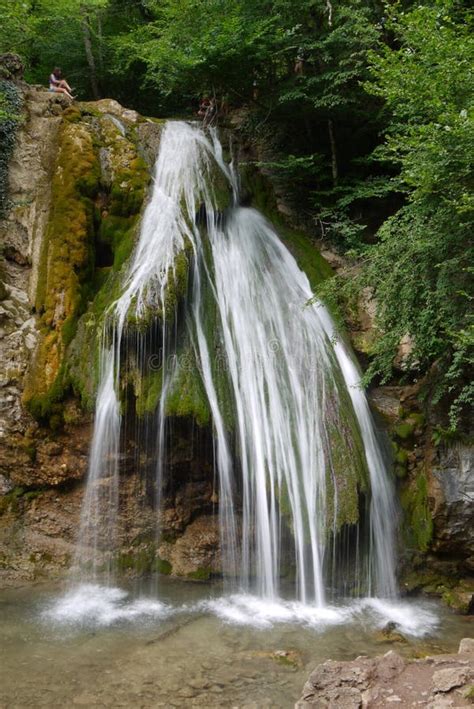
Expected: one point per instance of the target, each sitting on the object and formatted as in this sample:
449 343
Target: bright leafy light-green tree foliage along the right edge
421 267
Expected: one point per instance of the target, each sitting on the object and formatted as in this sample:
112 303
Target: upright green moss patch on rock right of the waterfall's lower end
418 527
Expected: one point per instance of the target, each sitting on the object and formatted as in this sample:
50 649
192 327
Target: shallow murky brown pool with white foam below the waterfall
94 646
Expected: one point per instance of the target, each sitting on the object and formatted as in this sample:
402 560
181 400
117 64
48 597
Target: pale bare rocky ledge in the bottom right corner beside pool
389 680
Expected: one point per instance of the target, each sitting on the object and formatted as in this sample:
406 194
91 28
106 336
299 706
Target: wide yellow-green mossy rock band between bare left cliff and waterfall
98 190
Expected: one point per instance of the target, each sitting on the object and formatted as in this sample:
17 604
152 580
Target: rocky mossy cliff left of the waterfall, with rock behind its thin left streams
78 180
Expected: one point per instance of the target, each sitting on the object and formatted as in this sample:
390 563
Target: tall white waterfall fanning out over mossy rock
298 455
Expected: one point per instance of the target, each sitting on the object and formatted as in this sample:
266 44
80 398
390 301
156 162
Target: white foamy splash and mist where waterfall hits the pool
92 605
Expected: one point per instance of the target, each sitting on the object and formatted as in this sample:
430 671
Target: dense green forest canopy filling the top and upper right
366 108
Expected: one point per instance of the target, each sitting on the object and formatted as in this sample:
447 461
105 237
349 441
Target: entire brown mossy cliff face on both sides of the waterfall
78 180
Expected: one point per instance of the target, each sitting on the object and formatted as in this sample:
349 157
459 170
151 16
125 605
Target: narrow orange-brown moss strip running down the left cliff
66 266
